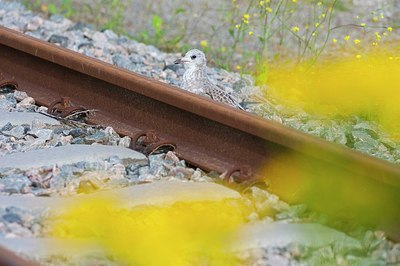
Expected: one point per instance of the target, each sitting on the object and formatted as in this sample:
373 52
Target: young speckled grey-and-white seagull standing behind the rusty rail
195 79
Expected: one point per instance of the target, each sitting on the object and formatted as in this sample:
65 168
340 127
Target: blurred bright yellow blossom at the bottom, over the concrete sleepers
185 233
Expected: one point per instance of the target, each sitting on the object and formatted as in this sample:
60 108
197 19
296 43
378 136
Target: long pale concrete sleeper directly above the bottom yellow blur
159 194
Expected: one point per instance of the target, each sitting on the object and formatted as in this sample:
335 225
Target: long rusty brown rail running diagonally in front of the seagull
205 133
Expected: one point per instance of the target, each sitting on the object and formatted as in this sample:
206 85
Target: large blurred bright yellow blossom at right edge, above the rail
347 85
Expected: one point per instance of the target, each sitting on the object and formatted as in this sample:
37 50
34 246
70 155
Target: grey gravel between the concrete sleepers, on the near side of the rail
113 172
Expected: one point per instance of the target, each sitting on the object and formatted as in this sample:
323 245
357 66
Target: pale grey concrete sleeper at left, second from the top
69 154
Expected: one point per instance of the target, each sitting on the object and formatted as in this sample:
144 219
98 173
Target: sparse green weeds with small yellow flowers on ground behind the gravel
245 33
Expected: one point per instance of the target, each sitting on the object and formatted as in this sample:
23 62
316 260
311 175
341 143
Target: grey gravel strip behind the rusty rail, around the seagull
151 62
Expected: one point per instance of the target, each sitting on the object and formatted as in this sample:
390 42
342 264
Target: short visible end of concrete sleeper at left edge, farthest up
19 118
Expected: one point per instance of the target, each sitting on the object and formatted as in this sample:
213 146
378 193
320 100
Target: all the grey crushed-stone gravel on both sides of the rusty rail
113 172
